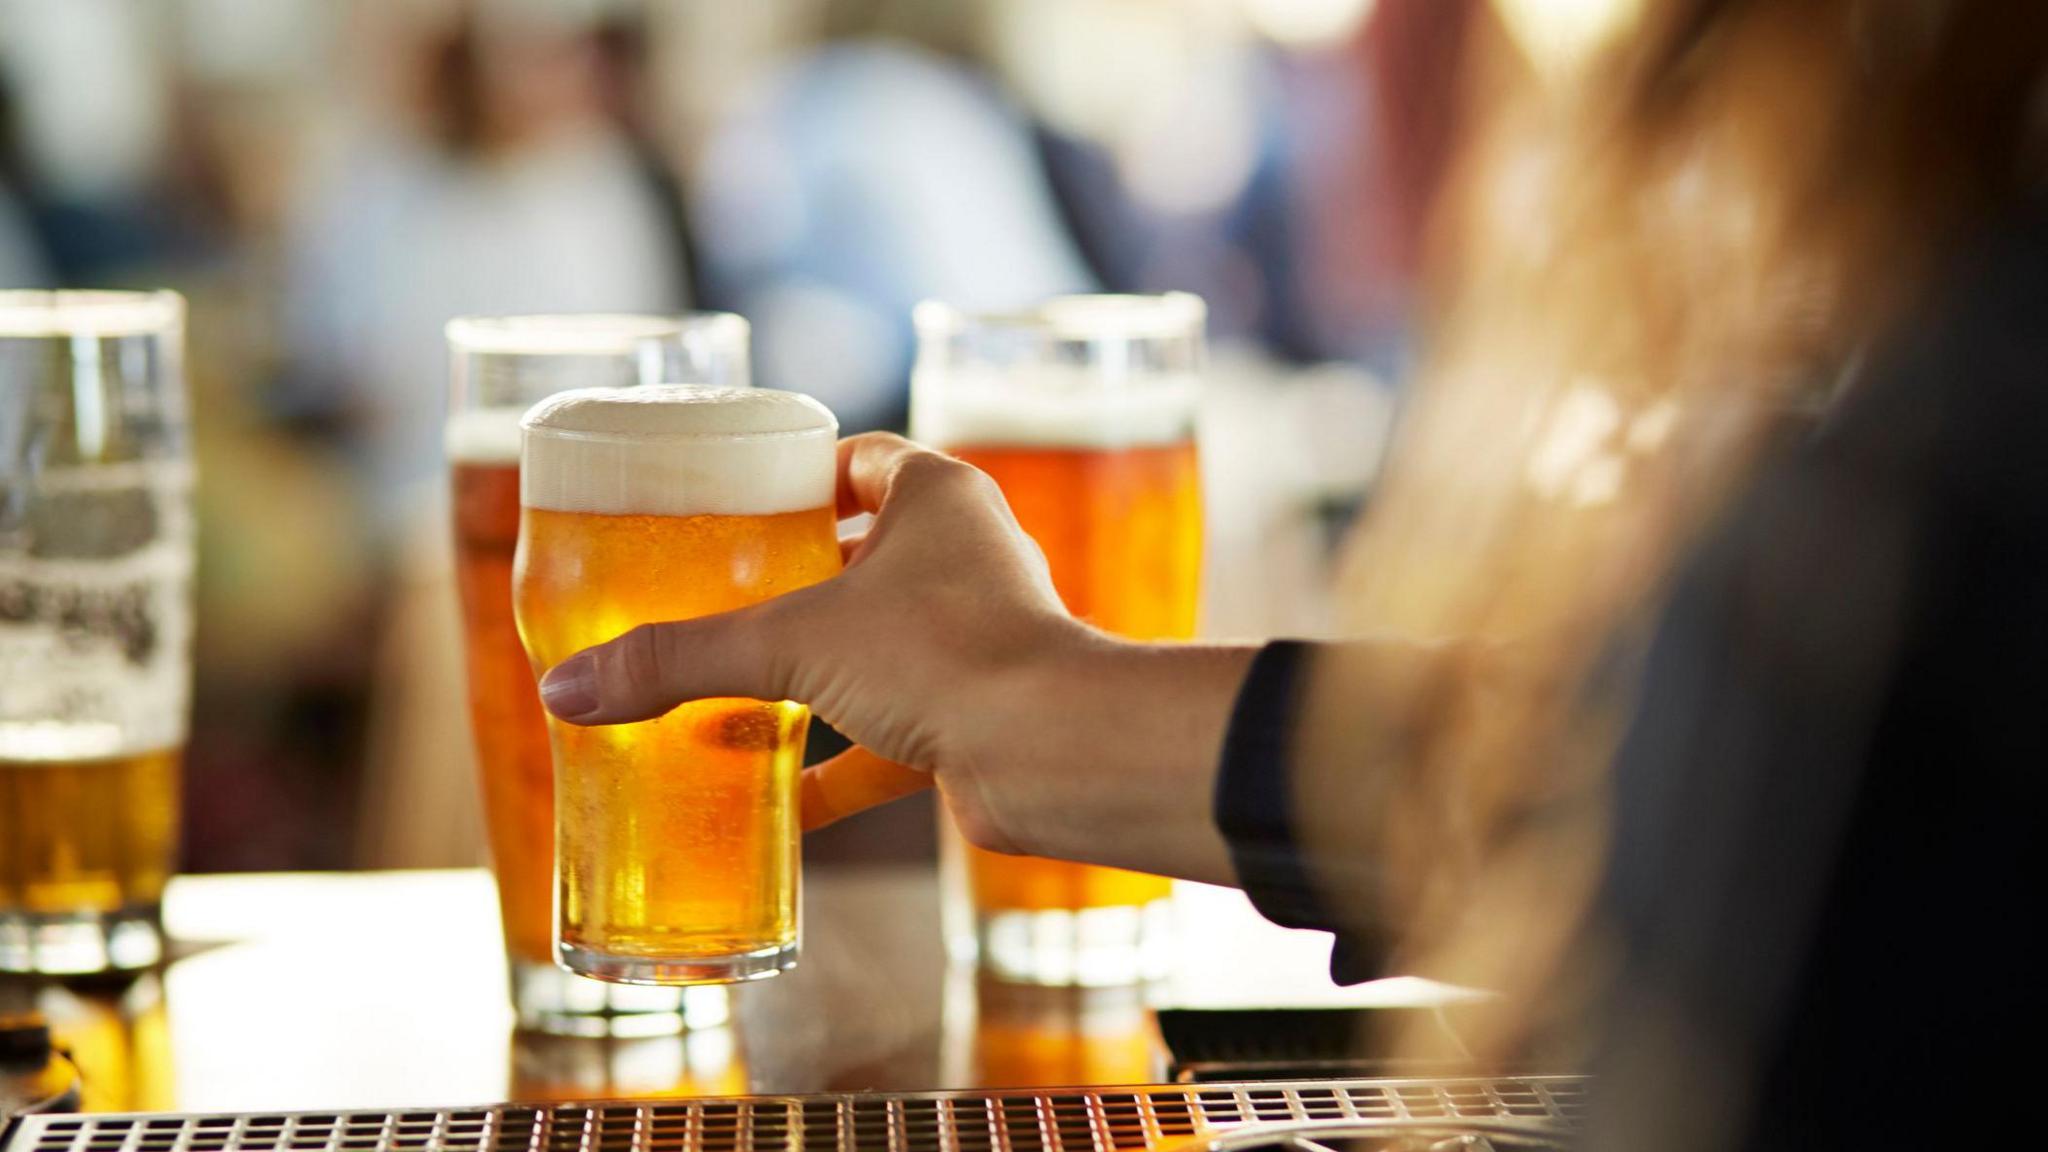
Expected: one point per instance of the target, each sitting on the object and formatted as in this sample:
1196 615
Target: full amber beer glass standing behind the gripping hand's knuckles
1084 413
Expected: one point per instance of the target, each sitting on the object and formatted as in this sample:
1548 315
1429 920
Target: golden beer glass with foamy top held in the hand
677 837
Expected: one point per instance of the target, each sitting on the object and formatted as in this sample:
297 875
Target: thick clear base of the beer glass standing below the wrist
1089 948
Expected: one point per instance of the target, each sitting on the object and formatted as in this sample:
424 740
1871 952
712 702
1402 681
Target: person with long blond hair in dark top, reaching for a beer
1703 598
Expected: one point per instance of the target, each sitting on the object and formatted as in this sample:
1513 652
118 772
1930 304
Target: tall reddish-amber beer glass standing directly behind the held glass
499 370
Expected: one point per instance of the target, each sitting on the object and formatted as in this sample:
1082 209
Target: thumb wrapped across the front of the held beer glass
656 667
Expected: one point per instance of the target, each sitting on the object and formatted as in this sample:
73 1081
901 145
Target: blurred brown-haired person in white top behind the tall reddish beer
488 175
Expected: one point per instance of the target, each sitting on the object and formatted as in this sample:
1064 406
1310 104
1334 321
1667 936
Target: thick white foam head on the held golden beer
679 452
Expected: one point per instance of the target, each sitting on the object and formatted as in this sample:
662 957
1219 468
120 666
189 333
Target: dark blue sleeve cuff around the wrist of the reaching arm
1256 811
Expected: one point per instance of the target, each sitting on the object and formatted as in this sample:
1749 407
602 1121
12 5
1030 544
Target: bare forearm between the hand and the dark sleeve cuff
1125 762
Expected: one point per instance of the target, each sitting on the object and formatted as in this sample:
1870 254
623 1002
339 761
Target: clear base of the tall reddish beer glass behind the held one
552 1001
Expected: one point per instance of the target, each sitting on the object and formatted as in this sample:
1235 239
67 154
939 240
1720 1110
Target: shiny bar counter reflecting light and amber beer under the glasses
339 991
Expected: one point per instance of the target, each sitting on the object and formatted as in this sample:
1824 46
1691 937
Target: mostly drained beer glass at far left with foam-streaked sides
95 624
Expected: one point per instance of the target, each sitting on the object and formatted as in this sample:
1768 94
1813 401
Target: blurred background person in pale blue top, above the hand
865 175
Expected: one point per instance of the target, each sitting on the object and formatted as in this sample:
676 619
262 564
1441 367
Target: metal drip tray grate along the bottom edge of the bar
884 1122
